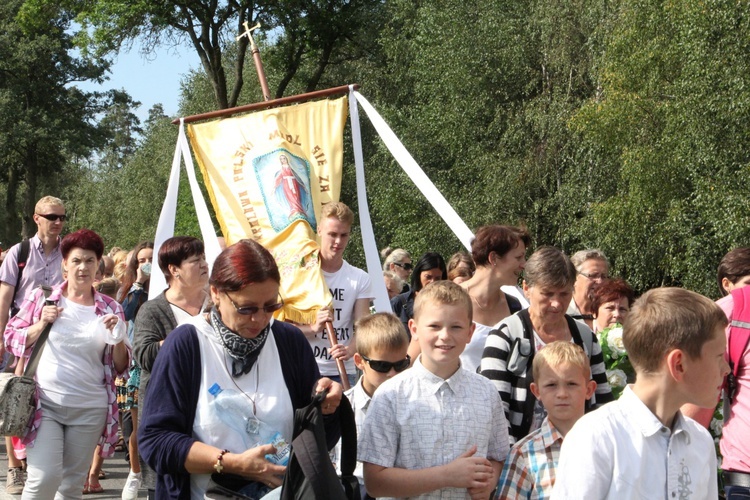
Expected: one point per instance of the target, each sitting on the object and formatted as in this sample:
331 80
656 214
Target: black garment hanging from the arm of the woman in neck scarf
310 474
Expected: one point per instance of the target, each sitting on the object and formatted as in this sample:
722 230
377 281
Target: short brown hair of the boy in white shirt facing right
664 319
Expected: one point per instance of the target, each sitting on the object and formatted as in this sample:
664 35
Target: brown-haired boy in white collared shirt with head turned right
641 446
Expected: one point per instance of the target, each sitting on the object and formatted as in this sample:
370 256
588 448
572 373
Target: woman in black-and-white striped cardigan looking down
509 350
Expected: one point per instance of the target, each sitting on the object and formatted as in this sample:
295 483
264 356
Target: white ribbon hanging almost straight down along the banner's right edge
382 304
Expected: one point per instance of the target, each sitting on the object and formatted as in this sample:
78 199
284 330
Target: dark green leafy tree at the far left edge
44 119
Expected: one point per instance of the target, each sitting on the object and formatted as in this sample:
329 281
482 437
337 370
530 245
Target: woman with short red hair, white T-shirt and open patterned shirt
76 404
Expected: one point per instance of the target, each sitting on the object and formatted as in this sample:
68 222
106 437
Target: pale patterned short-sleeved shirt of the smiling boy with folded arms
418 420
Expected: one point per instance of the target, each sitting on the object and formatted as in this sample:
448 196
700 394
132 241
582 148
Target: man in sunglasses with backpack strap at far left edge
33 262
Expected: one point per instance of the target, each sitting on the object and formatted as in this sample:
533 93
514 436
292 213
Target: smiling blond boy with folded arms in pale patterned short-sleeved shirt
437 430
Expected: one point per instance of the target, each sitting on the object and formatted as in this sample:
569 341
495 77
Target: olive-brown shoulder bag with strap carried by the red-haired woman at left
17 392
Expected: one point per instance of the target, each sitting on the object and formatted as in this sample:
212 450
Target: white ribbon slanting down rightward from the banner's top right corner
416 174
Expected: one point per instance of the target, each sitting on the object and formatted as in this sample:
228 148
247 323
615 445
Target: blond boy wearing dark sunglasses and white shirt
381 353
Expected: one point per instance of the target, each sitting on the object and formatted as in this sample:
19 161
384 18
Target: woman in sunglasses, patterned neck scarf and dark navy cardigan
238 348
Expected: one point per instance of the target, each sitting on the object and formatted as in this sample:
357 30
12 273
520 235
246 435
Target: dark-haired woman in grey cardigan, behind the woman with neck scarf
183 262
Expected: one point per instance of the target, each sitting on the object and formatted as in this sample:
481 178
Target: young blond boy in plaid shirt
561 382
